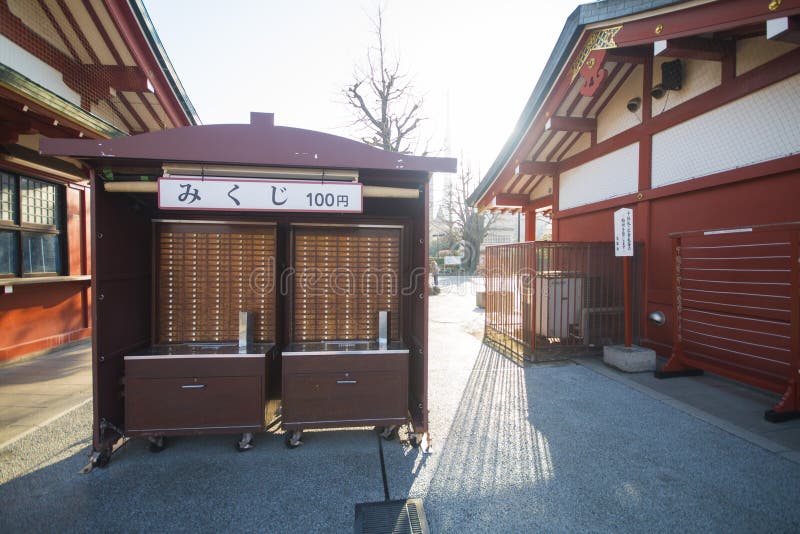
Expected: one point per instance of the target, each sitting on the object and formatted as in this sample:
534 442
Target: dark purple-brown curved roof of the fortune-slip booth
257 143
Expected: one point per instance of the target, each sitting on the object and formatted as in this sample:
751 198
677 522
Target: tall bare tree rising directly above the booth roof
383 100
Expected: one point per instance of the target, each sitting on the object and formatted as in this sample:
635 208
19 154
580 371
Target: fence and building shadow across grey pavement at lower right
558 447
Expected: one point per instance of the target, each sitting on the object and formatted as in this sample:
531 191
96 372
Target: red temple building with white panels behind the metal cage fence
688 113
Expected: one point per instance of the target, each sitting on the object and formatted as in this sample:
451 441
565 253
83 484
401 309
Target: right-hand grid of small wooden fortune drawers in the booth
343 277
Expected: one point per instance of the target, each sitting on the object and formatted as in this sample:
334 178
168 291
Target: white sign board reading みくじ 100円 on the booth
254 194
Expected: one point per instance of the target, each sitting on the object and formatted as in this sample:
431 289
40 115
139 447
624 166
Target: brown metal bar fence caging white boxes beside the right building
547 300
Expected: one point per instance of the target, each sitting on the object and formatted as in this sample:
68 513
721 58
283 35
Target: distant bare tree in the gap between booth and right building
471 225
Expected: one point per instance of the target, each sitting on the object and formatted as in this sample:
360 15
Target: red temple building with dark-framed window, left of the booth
69 69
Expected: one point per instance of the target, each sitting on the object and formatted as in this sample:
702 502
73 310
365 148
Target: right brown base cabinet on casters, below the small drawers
345 390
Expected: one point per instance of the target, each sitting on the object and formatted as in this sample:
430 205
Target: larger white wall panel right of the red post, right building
756 128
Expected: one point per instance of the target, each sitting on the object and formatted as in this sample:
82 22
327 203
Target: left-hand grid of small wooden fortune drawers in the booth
207 274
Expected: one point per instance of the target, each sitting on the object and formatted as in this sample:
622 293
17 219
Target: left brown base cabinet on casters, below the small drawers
169 394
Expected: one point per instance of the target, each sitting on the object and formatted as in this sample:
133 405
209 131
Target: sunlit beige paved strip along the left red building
38 390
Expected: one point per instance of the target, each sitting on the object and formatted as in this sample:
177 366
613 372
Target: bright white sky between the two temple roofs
475 61
